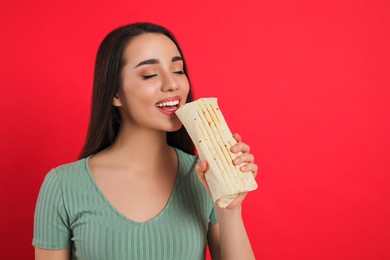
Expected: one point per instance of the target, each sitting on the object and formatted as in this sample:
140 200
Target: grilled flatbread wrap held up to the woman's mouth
212 138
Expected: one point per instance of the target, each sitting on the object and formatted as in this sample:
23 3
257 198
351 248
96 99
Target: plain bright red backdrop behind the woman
306 83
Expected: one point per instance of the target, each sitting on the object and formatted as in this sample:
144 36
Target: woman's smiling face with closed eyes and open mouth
153 83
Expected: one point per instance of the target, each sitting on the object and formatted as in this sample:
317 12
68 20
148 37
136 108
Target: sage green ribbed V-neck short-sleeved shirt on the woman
72 212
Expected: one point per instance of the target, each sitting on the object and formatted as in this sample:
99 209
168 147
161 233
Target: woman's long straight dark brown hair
105 118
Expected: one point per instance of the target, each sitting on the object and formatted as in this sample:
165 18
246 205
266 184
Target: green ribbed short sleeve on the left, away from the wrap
51 222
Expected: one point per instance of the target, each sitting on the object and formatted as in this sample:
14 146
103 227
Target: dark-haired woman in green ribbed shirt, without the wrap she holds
138 191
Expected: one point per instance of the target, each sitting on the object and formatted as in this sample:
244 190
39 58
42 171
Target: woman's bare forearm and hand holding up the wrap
228 238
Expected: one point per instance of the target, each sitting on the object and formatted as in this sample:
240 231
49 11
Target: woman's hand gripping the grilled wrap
246 160
